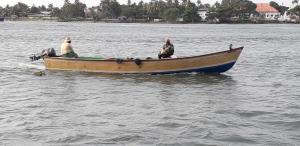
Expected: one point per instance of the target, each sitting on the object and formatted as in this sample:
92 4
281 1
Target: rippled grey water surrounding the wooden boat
255 103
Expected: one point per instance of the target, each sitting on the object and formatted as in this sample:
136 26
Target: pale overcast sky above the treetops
89 3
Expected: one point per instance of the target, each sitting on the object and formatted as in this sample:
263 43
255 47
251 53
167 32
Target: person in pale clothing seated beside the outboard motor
66 49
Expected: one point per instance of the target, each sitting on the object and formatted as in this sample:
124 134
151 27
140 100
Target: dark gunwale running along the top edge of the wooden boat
144 60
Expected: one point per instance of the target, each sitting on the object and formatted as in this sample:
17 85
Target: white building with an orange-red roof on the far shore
267 12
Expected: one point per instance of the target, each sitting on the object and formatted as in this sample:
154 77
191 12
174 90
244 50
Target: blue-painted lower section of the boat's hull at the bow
213 69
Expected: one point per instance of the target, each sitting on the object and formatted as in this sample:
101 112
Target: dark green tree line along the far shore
169 10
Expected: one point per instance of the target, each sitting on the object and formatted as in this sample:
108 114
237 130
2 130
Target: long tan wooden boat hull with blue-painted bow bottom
210 63
